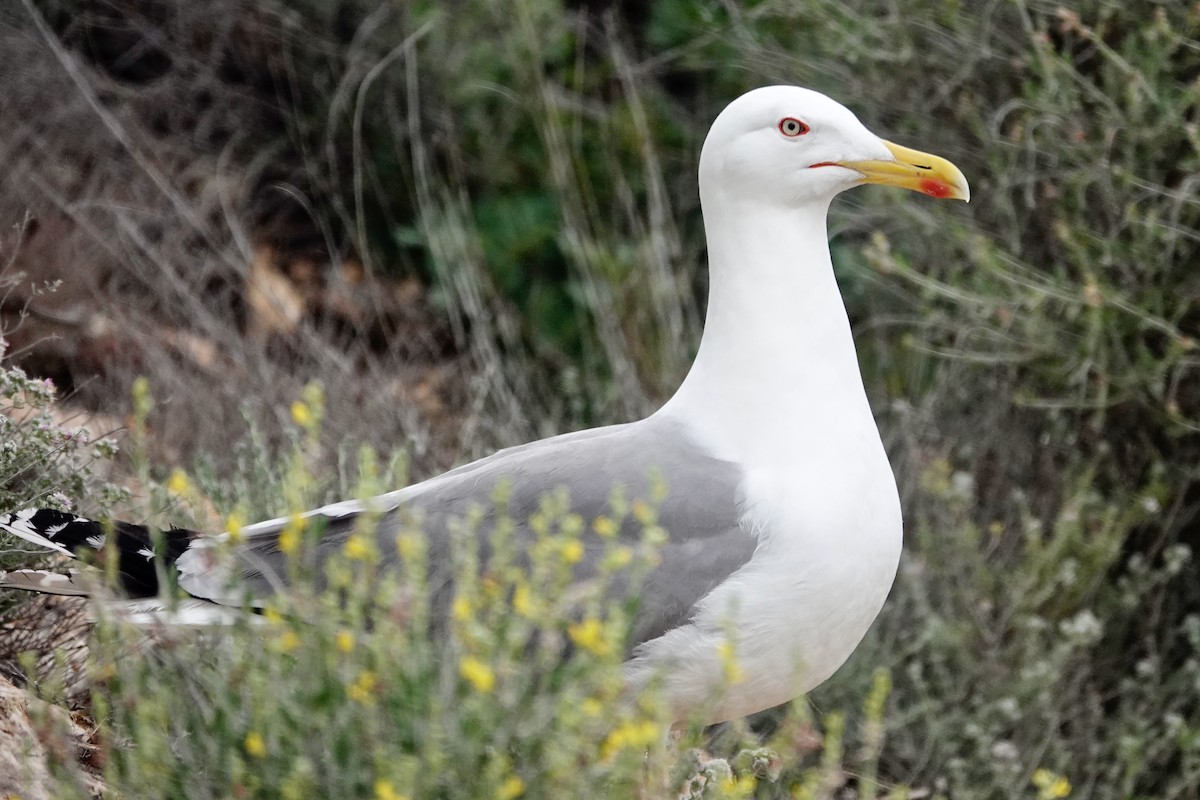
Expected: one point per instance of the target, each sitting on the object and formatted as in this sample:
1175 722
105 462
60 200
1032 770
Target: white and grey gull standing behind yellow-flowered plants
782 509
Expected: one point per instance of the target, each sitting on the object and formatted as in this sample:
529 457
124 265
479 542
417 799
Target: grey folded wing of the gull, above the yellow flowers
700 513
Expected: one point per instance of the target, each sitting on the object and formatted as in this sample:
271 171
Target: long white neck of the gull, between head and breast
777 370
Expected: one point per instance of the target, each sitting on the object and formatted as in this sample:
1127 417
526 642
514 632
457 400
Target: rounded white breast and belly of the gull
830 546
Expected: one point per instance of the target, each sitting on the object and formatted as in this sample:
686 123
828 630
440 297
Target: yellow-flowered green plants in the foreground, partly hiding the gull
382 687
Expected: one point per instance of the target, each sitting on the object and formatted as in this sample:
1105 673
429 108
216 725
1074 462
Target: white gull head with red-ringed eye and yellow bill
795 147
